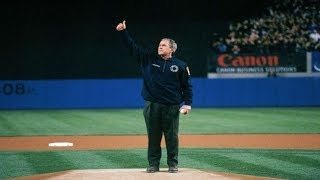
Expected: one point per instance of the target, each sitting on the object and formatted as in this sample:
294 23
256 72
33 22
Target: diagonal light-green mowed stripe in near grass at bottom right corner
291 170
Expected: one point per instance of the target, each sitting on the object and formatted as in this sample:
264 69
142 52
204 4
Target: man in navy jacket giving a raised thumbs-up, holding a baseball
166 86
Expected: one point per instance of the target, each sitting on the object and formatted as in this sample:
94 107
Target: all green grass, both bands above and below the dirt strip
288 164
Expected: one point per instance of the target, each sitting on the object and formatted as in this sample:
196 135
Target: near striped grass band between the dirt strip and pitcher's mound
242 161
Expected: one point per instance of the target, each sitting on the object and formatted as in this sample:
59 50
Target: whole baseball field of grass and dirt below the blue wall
279 142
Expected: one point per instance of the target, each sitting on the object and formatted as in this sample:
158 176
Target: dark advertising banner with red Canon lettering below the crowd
252 63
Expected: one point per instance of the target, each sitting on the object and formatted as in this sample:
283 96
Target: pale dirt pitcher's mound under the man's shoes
139 174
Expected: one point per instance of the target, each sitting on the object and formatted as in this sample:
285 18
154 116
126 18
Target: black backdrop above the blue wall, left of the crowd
77 40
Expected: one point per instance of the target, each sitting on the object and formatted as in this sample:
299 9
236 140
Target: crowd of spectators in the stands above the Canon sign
287 26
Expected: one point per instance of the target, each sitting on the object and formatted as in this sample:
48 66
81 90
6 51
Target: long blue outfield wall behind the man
125 93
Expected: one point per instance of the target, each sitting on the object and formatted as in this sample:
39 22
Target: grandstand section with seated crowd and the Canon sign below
286 29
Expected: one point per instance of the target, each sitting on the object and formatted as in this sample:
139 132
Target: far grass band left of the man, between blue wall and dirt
71 122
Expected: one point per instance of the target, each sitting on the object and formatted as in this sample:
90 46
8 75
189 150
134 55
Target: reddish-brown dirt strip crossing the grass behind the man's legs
271 141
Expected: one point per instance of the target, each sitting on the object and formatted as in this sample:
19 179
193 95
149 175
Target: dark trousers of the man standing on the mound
162 119
